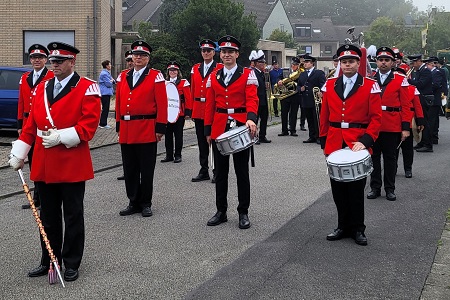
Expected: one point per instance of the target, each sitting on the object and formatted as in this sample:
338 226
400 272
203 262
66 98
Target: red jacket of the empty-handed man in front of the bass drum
146 101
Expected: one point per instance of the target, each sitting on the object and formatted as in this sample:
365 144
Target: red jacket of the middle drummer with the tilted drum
240 93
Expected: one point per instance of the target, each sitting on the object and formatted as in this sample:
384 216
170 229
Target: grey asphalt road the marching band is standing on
284 255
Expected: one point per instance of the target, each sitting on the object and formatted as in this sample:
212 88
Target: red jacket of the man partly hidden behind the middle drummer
195 107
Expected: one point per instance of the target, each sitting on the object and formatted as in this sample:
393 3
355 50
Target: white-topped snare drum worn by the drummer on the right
346 165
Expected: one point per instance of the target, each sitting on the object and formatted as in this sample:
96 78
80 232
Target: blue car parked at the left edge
9 95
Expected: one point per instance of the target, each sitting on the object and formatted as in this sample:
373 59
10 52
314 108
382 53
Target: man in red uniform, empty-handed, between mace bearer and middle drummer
141 117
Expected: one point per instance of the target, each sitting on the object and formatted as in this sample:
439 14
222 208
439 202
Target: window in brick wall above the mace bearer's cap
44 38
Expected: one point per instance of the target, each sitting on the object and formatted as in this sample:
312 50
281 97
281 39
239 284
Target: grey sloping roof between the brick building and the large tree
140 10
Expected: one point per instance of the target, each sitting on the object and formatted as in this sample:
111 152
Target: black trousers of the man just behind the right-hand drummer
385 144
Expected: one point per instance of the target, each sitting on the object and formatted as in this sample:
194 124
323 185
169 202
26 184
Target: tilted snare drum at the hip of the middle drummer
234 140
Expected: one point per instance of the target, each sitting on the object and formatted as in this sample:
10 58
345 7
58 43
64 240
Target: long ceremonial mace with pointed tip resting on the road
52 275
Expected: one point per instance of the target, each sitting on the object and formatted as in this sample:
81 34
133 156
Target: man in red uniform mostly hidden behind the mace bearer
27 84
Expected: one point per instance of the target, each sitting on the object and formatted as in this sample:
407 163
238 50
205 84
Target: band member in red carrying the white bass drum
175 130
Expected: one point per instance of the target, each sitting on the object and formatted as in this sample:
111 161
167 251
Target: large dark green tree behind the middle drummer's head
213 19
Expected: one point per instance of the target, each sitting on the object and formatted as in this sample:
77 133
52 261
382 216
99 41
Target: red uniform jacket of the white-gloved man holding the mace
78 106
